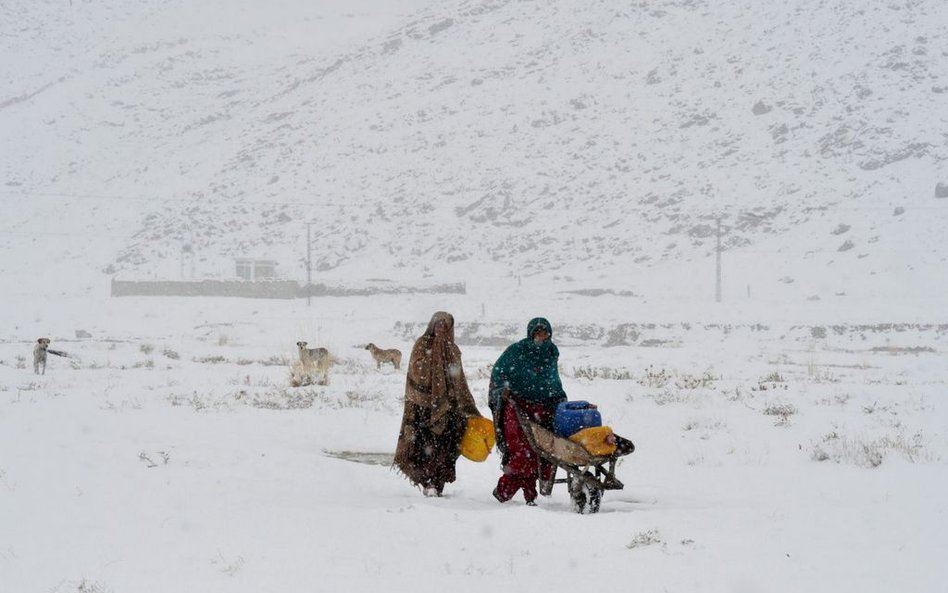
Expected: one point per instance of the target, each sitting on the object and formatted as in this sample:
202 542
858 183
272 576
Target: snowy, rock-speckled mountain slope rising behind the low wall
590 143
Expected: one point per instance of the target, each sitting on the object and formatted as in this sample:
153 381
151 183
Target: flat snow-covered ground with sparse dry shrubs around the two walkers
171 454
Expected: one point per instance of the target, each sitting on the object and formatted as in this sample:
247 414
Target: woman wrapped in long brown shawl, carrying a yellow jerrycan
437 406
